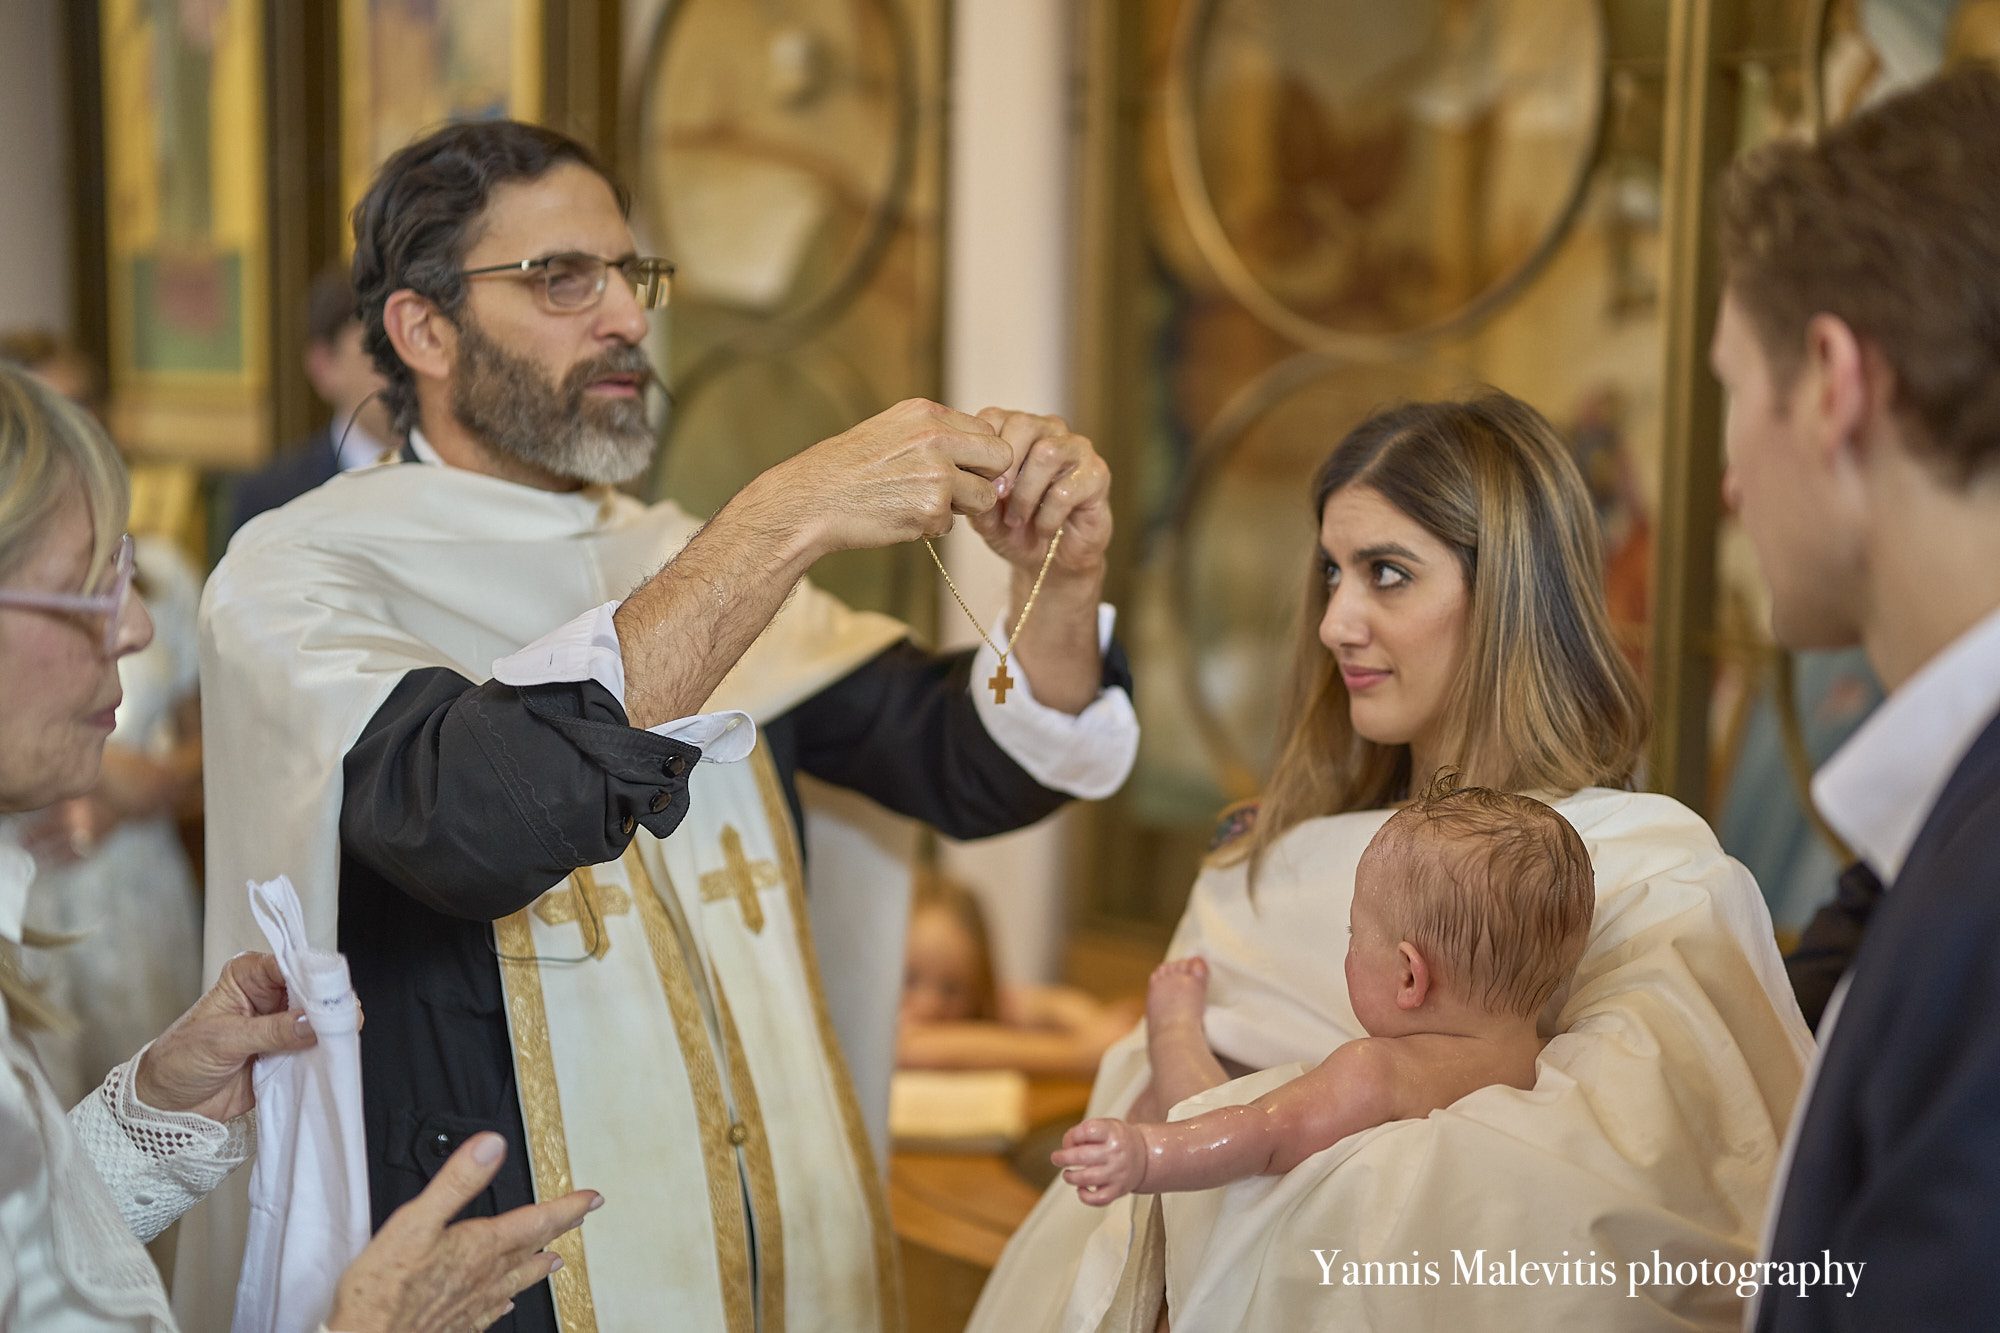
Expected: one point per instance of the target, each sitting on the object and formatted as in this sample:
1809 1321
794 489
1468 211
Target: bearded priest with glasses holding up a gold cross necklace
527 750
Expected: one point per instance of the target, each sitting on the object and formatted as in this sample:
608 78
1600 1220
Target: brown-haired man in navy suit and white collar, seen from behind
1861 347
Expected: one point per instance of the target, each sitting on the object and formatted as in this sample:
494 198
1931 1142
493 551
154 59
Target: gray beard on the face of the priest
519 411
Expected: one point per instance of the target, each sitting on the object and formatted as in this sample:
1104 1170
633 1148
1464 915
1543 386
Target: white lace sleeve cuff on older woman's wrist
157 1164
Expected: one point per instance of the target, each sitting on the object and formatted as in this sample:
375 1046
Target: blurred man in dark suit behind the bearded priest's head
345 377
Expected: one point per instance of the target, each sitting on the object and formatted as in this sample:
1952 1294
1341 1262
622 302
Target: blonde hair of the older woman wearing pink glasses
51 455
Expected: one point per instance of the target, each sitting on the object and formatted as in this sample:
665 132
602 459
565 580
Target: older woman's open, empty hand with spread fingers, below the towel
425 1274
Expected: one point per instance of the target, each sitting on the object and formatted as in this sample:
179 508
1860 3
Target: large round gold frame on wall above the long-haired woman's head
1191 189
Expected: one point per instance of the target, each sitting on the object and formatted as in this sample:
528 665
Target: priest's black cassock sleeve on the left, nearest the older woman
475 800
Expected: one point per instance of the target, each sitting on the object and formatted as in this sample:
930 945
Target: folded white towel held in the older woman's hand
309 1186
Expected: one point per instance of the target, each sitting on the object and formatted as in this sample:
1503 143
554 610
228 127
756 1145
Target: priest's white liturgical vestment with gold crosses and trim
671 1036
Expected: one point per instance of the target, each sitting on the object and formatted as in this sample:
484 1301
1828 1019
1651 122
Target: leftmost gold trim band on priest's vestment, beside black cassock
541 1112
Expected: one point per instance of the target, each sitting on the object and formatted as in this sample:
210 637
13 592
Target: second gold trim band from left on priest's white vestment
705 1084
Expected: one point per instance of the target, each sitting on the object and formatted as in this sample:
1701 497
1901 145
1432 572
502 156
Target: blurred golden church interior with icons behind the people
1249 223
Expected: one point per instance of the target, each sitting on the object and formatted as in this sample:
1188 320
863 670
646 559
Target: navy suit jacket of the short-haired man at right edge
1899 1154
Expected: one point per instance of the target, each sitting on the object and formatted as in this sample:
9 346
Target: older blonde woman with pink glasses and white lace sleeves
83 1190
